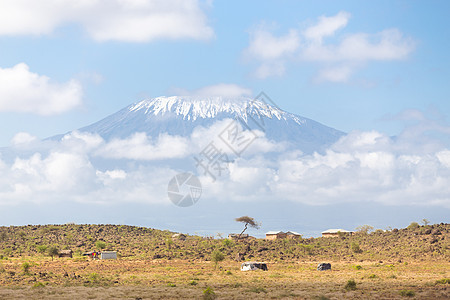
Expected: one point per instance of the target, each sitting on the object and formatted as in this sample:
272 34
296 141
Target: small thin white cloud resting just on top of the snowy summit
220 89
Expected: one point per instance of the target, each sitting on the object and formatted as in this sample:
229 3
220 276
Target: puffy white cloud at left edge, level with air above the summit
24 91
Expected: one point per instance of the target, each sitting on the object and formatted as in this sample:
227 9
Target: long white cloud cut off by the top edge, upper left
117 20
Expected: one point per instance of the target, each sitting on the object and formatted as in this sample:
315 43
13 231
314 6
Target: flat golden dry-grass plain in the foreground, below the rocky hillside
80 278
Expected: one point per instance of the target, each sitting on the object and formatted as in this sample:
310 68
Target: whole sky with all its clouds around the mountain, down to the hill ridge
374 69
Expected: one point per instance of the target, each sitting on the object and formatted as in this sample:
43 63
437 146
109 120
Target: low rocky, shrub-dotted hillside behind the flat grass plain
412 243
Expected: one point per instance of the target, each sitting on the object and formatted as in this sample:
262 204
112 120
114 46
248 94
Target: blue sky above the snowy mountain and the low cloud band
114 72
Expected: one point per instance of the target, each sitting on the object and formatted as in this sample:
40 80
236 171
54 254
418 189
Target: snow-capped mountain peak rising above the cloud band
180 115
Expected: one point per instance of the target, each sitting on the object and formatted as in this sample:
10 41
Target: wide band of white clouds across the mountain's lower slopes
361 167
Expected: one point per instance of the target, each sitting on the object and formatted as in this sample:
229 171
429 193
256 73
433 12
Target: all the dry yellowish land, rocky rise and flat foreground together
181 272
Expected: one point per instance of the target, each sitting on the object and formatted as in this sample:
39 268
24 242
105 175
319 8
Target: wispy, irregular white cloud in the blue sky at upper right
337 60
